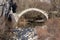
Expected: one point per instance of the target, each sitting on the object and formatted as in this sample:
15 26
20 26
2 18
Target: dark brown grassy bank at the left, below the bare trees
5 27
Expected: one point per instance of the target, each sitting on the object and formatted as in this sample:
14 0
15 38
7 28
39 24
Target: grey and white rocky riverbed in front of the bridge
25 34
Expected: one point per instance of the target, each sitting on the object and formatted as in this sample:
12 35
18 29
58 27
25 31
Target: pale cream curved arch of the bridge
31 9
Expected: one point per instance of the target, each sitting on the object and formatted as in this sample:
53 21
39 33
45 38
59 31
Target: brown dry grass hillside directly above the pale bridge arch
24 4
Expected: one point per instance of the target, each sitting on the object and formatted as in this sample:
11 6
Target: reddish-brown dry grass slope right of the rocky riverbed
53 28
